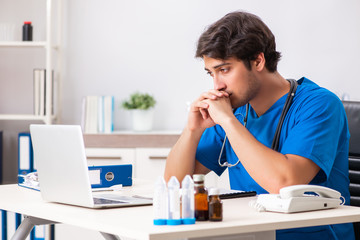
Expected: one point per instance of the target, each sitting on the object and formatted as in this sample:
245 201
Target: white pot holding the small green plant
142 119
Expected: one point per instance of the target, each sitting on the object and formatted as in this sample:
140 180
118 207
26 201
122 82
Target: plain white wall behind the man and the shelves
118 47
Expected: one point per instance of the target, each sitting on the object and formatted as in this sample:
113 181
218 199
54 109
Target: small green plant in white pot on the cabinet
141 106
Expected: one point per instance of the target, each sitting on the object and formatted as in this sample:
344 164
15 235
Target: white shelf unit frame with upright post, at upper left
49 47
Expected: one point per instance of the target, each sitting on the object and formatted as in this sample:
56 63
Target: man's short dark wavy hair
241 35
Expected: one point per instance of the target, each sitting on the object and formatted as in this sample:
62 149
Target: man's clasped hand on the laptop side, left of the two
199 117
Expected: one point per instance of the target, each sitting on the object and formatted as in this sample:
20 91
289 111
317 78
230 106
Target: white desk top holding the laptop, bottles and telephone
136 222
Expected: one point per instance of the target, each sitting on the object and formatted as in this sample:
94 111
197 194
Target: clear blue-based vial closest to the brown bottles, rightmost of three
187 200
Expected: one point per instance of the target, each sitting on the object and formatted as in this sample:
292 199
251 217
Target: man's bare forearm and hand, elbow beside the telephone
270 169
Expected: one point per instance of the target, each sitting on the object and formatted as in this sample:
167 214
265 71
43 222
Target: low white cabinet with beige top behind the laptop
147 151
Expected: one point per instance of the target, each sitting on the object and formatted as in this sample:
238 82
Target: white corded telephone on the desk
299 198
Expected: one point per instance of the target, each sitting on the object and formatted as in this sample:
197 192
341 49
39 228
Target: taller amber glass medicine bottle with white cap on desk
201 198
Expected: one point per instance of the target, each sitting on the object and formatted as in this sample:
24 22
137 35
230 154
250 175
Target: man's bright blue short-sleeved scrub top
315 127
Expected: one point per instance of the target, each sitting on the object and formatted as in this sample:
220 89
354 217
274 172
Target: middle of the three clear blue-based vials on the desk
173 213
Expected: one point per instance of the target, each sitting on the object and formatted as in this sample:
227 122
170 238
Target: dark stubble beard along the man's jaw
252 90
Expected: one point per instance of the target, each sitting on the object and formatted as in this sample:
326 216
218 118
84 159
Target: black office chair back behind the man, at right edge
352 110
